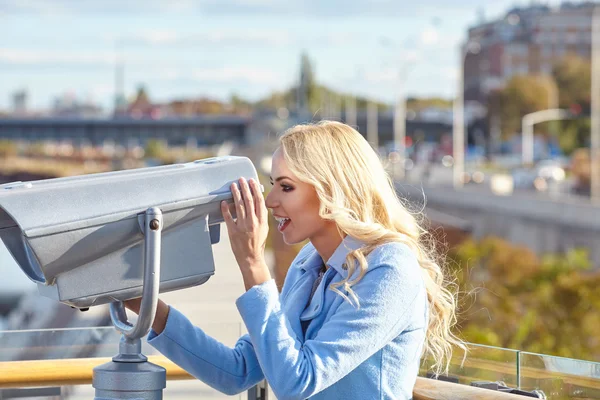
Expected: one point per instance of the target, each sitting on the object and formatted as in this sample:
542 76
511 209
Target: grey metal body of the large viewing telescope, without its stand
81 239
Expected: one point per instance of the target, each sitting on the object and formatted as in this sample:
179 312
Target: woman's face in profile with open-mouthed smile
295 205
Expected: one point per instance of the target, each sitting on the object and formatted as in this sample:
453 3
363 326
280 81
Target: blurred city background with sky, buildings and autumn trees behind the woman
486 114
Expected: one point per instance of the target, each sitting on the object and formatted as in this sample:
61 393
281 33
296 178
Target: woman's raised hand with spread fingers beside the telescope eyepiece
248 233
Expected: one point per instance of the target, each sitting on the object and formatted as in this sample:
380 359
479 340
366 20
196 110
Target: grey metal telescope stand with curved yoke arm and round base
129 375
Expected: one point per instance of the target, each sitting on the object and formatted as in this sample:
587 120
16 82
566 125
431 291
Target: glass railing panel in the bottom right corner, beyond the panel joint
560 378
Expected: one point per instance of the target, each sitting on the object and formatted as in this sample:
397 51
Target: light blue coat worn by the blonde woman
370 352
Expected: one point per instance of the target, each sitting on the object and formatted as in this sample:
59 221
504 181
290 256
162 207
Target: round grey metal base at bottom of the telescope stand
129 380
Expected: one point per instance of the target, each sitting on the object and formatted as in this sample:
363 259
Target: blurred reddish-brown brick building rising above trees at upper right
525 41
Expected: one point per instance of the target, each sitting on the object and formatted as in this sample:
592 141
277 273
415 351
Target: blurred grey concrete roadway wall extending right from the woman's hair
539 222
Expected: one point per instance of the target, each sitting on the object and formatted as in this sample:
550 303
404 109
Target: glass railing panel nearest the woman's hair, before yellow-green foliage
482 363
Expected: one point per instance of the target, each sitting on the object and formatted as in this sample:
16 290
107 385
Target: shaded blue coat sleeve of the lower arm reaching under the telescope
229 370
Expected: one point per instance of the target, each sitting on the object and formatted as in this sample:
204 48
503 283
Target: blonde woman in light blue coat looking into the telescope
361 301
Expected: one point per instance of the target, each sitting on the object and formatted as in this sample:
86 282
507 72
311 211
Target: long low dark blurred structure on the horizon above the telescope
206 130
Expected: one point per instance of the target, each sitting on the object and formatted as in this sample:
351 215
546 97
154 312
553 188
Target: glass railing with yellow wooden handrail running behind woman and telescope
66 357
